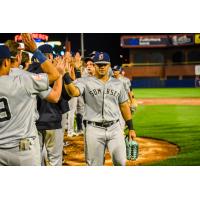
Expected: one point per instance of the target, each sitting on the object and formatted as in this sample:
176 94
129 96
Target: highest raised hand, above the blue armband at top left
29 42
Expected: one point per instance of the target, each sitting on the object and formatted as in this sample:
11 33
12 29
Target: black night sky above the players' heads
108 42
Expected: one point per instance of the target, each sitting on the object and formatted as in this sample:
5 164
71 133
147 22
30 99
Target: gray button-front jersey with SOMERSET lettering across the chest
101 99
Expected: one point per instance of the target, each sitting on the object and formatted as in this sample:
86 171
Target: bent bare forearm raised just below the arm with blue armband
56 91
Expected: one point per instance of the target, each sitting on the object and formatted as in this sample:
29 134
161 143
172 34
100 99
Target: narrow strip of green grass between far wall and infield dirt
167 92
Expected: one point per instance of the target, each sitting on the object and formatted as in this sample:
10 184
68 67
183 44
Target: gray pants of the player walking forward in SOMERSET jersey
97 139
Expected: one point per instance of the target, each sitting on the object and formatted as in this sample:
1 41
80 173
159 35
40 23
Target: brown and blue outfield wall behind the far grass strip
161 76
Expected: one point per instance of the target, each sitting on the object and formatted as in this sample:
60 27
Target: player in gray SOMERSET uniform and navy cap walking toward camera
104 97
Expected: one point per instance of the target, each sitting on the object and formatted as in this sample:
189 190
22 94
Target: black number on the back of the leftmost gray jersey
5 114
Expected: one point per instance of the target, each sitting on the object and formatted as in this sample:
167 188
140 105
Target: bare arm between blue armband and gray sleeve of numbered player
51 71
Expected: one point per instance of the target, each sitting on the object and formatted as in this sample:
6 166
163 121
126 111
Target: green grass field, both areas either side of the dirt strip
173 123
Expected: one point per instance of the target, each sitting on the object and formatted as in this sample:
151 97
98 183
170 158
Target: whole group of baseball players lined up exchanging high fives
40 99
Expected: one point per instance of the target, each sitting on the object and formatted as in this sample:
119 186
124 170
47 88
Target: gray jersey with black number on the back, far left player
18 105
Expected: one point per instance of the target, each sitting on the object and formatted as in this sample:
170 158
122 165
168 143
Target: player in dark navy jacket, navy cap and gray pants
49 124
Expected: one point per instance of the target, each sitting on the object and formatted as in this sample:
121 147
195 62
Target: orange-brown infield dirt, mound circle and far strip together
150 150
